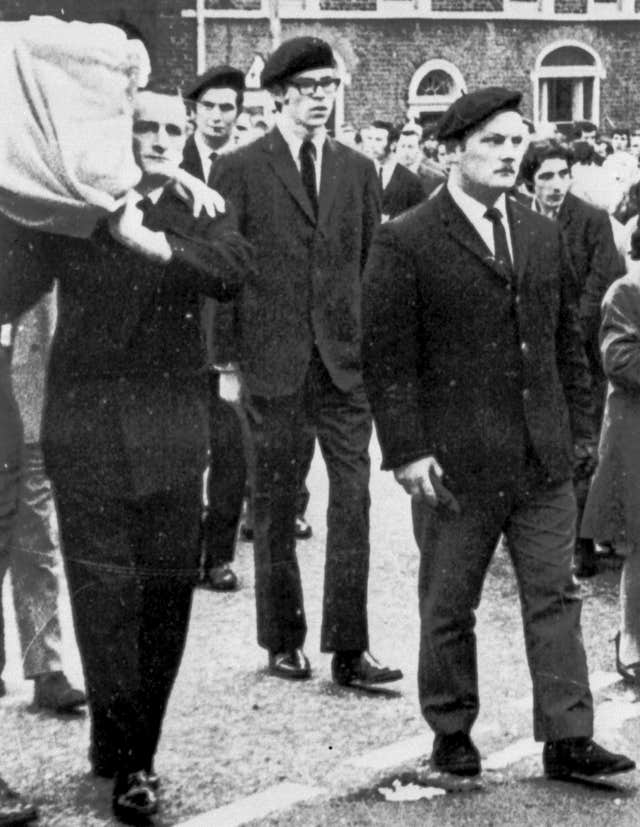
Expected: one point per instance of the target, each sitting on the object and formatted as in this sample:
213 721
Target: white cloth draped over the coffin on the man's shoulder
66 94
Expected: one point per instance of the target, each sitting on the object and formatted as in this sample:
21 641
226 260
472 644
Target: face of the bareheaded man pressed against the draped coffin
159 131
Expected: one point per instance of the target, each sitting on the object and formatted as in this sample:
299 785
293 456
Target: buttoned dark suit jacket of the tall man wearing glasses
307 288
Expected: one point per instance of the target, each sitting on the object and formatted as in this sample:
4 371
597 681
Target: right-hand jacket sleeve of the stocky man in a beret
570 355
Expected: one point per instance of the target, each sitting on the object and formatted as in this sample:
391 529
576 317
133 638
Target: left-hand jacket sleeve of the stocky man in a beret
391 350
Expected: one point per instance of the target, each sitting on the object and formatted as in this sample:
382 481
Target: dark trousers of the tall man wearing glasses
342 422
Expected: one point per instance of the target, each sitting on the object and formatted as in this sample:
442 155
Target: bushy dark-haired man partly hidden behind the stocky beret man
546 171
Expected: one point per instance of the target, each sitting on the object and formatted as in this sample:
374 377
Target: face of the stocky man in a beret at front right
489 158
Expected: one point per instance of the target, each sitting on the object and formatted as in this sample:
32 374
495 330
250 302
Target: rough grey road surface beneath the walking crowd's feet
232 730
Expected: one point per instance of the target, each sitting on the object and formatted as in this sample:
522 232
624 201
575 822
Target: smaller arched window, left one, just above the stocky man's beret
432 89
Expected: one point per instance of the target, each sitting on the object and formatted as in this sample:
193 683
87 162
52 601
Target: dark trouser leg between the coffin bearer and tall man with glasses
226 479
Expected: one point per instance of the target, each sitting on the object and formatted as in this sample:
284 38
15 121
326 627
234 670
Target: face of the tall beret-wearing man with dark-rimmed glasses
307 107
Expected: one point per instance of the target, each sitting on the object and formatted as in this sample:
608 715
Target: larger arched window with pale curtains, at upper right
566 83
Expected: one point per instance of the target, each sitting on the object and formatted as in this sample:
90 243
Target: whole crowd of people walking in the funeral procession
262 289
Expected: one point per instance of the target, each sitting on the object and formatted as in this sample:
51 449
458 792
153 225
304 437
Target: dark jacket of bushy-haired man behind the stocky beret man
595 260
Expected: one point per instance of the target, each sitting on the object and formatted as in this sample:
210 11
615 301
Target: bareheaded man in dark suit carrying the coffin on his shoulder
125 437
